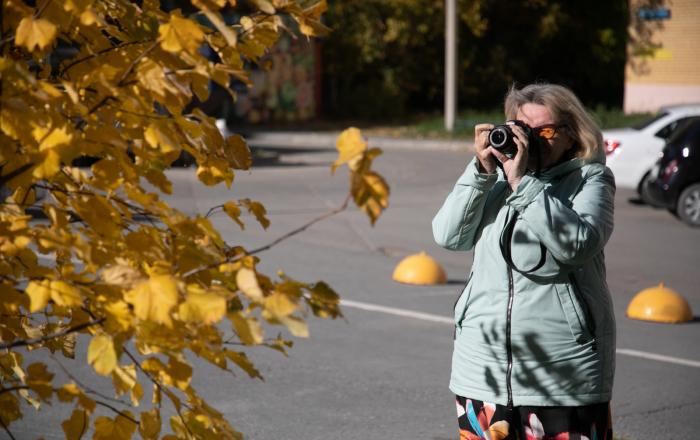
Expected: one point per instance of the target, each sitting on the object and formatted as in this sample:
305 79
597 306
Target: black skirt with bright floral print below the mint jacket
483 420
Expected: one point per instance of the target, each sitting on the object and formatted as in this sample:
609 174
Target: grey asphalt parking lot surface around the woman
379 375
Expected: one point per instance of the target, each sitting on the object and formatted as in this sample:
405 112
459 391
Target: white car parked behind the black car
632 152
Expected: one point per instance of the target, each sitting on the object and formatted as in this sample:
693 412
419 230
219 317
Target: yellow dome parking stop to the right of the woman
659 304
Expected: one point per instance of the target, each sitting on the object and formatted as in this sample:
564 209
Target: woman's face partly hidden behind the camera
553 149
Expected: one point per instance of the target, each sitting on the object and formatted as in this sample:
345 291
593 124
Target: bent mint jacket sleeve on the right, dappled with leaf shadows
575 233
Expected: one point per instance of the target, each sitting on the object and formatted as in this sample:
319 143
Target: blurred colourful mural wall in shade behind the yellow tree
285 92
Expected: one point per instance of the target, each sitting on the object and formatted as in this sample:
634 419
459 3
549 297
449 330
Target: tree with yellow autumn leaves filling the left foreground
112 79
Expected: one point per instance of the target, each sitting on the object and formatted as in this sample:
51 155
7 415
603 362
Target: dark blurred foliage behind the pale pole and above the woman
388 61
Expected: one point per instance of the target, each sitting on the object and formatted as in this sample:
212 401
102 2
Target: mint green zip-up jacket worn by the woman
545 337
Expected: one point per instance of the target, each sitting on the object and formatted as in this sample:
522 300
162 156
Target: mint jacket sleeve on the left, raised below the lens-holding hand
456 223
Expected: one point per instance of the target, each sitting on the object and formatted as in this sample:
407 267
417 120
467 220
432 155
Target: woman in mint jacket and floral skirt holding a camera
534 350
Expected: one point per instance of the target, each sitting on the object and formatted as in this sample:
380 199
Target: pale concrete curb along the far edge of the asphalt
326 140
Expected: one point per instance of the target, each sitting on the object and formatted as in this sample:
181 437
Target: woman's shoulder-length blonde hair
566 109
